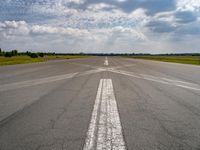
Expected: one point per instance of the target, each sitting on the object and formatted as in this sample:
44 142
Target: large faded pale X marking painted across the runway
96 69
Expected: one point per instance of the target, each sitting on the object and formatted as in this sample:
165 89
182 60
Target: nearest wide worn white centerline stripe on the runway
105 131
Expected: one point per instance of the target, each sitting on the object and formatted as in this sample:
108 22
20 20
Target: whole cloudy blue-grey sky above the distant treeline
100 26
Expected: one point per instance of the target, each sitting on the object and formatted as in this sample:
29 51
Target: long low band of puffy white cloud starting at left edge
14 28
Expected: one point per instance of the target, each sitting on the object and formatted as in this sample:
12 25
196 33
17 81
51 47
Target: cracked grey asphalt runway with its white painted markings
142 105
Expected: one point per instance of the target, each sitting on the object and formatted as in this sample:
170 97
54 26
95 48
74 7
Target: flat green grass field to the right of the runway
195 60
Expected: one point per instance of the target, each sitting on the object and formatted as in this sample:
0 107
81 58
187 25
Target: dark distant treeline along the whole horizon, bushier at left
42 54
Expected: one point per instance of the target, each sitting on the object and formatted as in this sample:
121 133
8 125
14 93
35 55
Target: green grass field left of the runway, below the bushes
26 59
